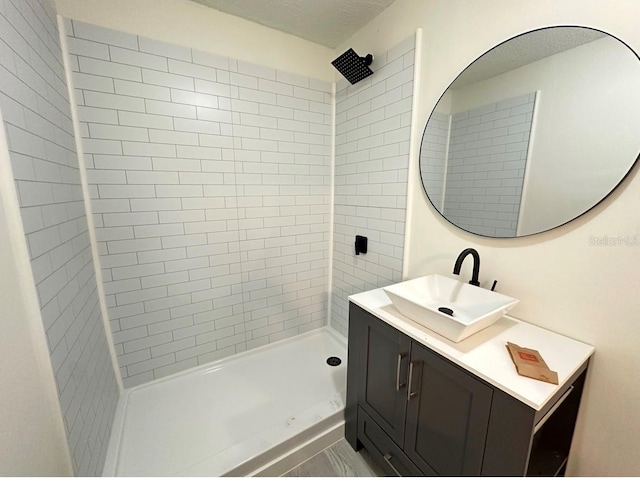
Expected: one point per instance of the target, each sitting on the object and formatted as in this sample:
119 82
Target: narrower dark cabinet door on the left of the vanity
382 387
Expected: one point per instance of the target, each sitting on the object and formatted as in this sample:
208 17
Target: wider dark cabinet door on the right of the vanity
447 417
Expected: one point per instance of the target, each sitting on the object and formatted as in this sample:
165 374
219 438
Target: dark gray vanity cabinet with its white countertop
422 405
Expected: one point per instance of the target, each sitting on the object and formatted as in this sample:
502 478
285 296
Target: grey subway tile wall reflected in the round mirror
485 169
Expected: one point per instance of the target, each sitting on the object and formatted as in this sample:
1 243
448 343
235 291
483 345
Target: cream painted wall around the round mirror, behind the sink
564 281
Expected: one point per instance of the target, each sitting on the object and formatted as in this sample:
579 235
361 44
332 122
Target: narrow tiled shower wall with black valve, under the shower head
373 127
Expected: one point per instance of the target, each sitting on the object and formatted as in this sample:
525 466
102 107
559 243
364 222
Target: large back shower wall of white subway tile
210 186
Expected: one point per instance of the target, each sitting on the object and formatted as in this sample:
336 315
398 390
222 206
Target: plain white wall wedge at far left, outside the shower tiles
32 437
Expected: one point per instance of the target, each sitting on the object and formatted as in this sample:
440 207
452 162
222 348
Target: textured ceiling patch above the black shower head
326 22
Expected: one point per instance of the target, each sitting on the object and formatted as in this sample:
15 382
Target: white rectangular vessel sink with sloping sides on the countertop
474 308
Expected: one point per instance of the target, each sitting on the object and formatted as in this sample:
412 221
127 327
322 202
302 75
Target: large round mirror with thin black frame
534 133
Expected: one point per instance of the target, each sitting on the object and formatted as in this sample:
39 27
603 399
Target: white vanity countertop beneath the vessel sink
485 353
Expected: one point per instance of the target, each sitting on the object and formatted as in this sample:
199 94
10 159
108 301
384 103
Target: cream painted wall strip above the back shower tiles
188 24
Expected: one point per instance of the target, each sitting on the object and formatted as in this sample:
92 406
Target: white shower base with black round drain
233 417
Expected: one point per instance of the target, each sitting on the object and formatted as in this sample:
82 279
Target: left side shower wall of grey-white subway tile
36 110
